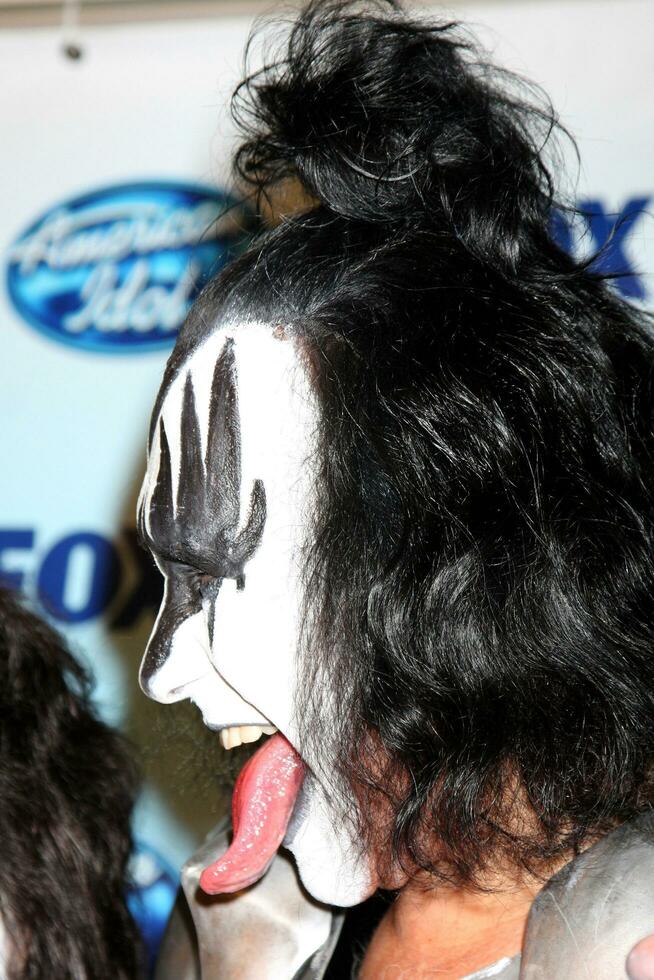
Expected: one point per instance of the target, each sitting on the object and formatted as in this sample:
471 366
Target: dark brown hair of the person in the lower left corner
67 786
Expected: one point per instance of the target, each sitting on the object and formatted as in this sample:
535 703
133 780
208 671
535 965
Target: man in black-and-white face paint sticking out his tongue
400 488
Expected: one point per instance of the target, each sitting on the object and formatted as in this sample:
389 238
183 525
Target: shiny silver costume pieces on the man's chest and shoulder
581 926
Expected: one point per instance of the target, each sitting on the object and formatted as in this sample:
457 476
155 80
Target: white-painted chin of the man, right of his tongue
330 865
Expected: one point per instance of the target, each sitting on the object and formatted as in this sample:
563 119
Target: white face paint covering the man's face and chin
233 650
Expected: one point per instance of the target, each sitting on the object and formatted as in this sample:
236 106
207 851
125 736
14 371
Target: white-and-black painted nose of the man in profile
175 659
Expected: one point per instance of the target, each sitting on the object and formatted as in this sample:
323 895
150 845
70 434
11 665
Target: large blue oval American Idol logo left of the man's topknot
115 270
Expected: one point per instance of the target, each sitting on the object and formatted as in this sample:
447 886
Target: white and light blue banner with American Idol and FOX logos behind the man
114 167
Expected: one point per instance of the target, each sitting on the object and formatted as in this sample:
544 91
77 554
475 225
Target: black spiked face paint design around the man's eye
196 538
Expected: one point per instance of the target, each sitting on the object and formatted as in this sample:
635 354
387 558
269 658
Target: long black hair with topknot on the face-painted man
481 583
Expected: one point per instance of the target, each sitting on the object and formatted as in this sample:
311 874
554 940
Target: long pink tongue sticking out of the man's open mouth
262 803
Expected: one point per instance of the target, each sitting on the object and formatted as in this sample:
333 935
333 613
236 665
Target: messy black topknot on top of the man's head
389 119
